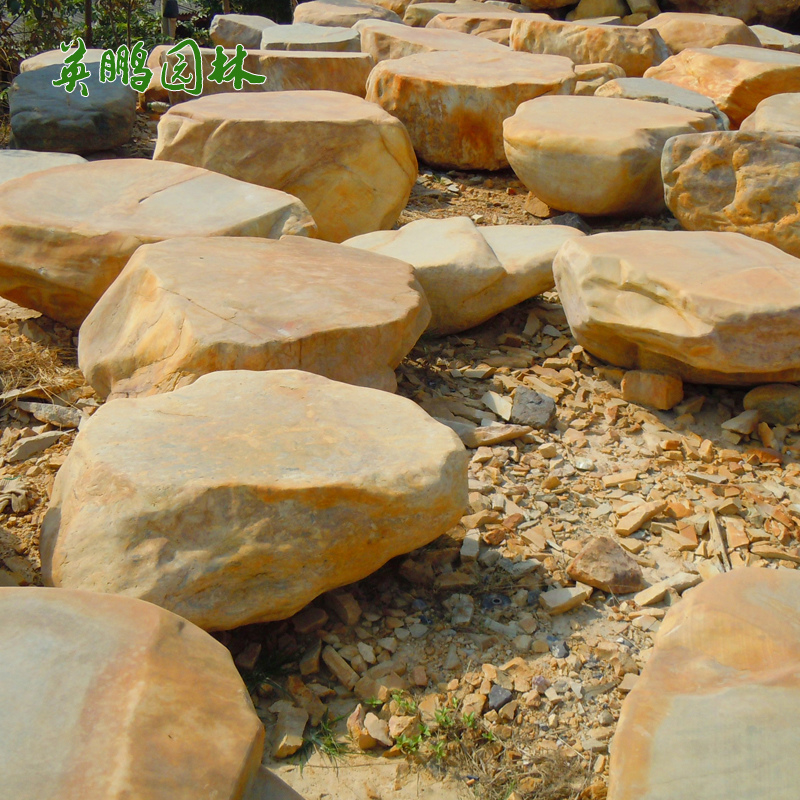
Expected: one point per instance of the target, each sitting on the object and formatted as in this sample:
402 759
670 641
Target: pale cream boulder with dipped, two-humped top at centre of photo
469 274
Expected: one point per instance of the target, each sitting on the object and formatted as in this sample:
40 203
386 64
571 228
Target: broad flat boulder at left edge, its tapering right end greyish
66 233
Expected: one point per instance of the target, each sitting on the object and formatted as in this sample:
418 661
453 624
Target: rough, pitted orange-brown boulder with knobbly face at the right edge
741 181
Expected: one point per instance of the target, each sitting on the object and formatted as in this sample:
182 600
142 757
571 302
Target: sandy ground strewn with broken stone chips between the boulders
485 693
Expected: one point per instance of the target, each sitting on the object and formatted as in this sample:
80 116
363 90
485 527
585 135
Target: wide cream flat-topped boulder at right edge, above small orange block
708 307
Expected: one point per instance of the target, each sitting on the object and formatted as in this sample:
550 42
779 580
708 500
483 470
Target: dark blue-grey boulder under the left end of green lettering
46 117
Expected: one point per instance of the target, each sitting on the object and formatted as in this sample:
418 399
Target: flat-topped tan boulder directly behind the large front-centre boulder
186 307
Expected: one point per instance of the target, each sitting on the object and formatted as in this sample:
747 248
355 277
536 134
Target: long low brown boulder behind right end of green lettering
293 70
